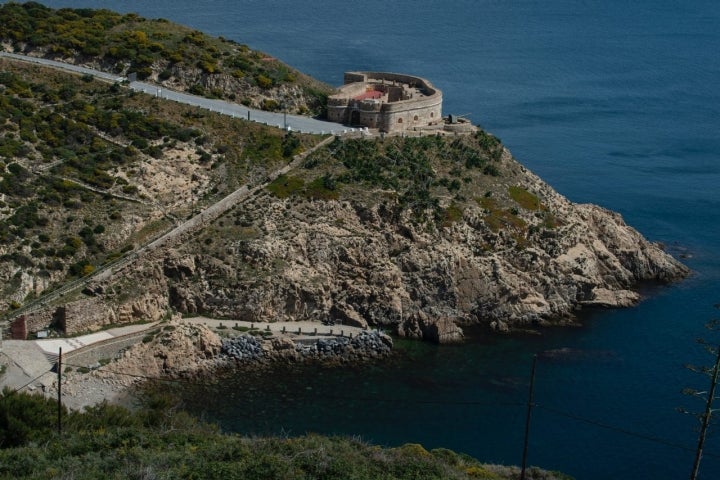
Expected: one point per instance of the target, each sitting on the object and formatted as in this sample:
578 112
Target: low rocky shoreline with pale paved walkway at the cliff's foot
181 349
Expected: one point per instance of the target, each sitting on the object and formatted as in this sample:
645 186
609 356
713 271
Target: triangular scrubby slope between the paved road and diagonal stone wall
90 170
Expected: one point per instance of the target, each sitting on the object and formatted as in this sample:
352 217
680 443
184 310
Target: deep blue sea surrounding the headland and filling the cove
615 103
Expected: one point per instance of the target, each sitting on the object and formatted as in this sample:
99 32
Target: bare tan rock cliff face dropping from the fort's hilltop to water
358 262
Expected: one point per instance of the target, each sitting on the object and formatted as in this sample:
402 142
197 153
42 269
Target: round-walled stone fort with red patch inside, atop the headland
389 102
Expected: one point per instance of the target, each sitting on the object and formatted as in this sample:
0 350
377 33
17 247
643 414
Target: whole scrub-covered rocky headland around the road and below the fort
419 236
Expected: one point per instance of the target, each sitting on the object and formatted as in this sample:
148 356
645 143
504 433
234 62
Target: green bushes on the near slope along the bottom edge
160 441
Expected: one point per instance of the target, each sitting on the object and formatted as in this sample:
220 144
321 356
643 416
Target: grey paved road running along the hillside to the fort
280 120
